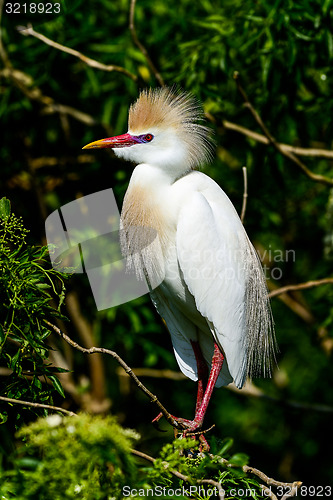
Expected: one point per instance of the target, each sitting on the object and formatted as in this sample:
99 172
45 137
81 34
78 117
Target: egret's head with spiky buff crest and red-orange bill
164 130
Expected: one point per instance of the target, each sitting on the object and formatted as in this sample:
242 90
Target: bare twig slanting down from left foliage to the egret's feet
124 365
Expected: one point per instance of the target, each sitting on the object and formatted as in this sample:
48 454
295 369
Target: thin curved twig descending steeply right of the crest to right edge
315 177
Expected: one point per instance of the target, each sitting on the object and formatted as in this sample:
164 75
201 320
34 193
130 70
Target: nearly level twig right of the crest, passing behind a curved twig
296 150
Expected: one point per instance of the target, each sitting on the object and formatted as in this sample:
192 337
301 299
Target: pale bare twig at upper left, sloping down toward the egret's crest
29 31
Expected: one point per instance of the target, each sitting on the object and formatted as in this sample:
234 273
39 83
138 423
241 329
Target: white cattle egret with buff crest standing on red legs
213 296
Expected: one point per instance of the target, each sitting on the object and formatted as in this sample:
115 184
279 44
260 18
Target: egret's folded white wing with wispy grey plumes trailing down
223 273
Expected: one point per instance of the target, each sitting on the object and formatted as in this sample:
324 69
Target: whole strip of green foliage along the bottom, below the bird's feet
90 458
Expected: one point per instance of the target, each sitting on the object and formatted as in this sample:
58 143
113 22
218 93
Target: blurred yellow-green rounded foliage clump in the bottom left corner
72 457
